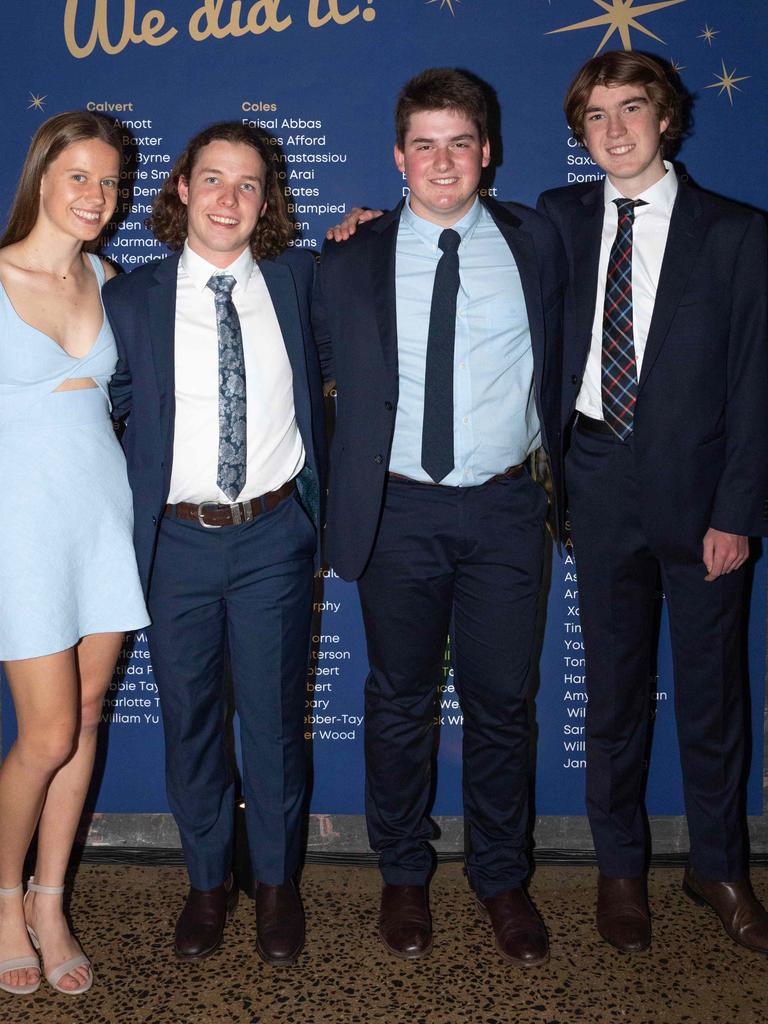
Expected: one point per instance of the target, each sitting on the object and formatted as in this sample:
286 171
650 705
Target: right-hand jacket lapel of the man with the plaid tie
684 244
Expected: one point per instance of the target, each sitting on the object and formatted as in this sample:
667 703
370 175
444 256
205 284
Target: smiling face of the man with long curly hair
225 198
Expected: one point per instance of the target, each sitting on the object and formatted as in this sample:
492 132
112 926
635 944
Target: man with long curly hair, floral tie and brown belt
225 443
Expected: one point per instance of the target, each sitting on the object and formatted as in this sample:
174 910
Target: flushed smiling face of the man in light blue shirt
443 159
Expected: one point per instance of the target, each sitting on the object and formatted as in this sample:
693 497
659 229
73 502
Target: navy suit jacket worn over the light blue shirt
356 327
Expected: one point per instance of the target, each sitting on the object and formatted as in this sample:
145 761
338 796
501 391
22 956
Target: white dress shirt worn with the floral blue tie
276 452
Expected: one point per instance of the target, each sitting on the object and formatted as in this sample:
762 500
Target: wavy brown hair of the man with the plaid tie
627 68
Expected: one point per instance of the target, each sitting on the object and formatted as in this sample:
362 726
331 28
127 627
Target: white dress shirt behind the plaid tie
649 243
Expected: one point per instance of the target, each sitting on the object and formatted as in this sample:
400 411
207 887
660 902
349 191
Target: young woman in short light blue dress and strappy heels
69 587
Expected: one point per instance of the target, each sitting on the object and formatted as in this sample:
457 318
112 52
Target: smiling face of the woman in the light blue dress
79 190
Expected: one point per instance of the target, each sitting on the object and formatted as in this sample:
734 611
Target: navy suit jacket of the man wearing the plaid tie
701 428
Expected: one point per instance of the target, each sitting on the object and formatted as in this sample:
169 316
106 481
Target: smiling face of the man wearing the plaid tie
623 134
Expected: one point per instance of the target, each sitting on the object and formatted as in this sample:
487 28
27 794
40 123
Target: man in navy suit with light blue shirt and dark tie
441 324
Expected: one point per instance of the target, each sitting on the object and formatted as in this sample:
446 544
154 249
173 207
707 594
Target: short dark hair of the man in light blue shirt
442 90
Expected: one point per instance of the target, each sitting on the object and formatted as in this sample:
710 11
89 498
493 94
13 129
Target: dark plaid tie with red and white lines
619 363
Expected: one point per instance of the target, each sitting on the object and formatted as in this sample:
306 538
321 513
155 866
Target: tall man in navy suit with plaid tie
666 370
